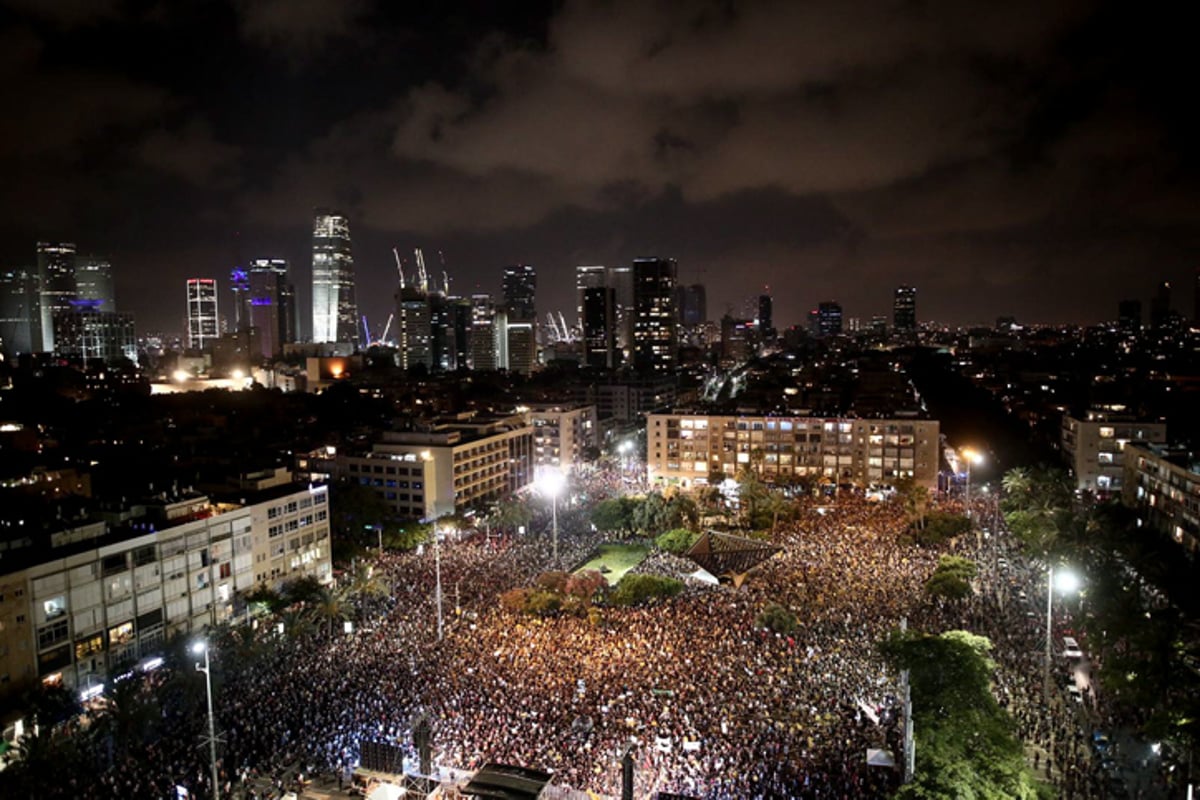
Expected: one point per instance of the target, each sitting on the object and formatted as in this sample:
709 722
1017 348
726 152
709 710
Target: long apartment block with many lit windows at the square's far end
687 448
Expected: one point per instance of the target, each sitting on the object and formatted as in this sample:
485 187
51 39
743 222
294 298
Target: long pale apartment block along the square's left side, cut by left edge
83 603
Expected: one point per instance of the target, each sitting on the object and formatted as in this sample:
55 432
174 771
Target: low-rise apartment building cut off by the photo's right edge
1162 485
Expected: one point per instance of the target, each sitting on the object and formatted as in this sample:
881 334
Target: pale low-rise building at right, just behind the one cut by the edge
1094 447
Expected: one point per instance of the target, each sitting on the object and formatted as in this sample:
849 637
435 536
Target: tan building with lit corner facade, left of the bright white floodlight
446 466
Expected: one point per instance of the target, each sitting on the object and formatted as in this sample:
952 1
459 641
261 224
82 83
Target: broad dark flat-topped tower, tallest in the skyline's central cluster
656 339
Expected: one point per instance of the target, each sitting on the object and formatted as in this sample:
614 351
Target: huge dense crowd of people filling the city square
713 706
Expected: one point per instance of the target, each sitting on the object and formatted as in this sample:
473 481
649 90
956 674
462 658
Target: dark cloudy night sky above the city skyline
1022 158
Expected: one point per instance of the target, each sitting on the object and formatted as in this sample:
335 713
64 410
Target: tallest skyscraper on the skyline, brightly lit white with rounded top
335 317
